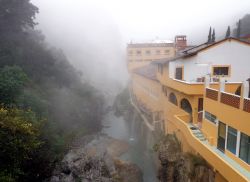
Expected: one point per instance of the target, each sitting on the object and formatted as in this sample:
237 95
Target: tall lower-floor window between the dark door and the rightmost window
231 139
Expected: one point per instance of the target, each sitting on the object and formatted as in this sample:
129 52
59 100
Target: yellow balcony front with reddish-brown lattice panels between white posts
229 108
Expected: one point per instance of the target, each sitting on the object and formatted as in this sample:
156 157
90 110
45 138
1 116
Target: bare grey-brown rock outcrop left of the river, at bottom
97 161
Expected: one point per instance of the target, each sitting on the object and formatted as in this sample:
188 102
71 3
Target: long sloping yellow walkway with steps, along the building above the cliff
231 170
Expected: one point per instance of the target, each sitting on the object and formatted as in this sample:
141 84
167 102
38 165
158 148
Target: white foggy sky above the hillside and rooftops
94 33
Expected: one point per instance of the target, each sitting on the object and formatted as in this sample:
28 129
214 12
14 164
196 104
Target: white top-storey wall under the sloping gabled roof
231 53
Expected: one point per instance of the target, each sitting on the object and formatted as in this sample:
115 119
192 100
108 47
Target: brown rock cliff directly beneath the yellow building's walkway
177 166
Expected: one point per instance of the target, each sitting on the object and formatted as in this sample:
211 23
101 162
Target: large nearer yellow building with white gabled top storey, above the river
195 94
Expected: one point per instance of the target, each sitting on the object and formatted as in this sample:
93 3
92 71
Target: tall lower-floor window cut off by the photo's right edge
245 148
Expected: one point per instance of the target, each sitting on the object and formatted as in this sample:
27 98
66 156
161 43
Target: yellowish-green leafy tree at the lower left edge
19 138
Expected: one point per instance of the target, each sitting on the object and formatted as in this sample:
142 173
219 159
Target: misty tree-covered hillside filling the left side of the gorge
44 104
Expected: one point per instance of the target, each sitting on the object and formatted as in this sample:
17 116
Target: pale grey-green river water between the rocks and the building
140 142
